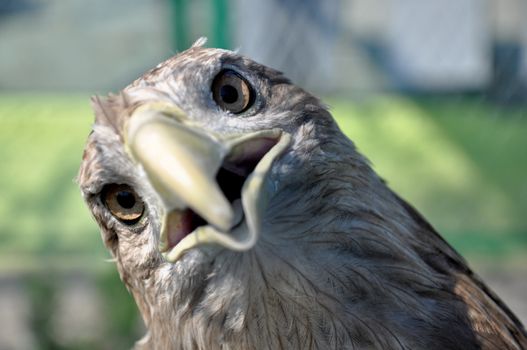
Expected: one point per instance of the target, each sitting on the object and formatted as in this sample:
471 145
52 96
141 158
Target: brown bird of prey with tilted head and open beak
241 217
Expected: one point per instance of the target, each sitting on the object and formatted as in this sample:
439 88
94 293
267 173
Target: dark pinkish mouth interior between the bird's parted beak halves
231 177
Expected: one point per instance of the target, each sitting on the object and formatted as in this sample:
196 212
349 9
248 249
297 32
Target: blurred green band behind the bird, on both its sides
461 162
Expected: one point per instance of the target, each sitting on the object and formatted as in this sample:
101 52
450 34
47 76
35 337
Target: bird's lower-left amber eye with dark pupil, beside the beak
123 203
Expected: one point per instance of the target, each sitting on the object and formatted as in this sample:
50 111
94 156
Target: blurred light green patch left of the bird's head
41 211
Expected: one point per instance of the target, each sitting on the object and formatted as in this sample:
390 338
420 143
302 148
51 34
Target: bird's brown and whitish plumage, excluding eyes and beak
341 263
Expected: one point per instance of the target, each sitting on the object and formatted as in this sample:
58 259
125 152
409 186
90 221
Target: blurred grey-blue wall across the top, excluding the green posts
329 46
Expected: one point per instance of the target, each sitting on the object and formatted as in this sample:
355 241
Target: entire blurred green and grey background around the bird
433 92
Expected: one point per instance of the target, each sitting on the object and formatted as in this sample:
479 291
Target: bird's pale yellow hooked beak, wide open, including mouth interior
212 185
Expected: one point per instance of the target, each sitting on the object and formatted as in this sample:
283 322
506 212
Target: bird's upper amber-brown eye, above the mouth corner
232 92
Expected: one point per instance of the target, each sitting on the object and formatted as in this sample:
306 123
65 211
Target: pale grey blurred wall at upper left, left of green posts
95 45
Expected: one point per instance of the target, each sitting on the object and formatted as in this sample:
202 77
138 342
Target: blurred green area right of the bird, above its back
461 161
